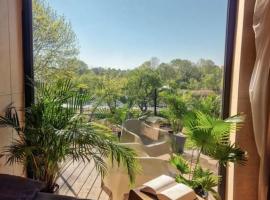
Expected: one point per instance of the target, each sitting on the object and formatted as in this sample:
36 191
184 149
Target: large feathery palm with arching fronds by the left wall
54 131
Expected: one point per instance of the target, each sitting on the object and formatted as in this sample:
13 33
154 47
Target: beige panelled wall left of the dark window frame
11 69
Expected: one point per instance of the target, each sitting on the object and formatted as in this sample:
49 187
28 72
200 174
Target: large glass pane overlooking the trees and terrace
150 71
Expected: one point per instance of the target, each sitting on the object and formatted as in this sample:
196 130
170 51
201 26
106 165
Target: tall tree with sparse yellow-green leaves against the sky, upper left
54 41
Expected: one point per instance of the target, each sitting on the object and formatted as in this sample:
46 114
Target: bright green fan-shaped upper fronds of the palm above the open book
211 136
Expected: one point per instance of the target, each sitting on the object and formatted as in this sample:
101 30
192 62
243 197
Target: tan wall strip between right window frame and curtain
242 180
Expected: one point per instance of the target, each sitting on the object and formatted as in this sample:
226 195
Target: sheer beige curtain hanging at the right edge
259 91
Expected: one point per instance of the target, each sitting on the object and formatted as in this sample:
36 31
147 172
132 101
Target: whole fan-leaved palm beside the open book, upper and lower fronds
210 136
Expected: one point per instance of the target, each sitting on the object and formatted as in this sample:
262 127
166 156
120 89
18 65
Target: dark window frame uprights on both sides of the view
232 6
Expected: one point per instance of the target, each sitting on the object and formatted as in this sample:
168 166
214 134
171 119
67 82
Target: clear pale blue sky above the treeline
125 33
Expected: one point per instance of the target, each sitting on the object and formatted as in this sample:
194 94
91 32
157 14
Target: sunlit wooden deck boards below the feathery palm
80 179
